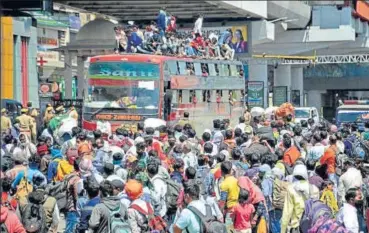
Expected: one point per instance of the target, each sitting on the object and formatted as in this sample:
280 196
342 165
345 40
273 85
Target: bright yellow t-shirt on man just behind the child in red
230 186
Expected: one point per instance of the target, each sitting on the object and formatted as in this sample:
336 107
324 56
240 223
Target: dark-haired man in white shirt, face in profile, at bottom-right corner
348 213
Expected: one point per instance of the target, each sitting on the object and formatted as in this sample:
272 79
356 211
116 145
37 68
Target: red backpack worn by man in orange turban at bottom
154 223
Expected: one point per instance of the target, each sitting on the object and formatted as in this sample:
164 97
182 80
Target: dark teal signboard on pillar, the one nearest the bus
255 94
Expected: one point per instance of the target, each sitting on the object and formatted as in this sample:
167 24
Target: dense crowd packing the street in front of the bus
260 176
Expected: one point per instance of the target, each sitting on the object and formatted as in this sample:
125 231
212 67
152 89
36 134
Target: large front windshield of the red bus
123 85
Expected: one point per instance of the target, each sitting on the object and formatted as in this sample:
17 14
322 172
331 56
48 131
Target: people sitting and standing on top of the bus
162 37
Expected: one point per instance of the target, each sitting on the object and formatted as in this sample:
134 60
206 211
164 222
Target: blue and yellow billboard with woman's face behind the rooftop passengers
237 38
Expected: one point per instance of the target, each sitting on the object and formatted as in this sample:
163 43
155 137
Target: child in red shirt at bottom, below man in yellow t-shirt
243 213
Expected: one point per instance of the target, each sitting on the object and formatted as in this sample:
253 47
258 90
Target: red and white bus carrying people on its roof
126 89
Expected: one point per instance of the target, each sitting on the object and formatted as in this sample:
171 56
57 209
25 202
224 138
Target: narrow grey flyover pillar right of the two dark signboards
297 85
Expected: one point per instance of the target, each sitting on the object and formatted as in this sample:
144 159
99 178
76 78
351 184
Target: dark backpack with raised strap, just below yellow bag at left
59 191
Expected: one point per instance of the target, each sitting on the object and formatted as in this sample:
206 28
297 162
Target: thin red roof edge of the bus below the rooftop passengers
139 57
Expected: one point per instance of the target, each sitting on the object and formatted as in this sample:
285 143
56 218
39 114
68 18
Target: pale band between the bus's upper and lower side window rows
207 83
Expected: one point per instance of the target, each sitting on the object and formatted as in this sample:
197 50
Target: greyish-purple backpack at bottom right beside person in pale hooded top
313 210
